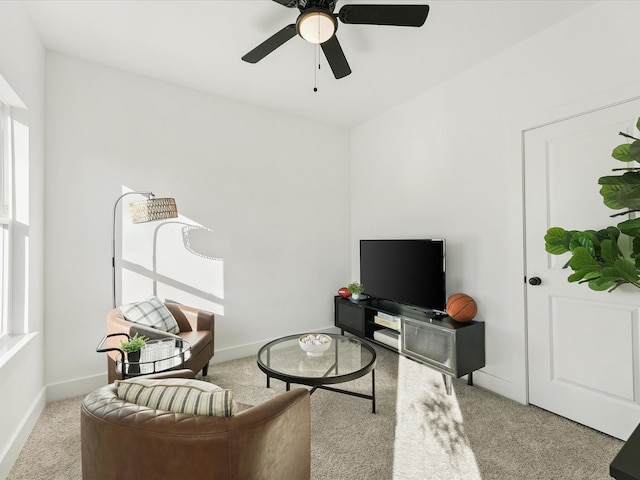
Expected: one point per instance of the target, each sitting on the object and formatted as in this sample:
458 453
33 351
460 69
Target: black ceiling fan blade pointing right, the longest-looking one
398 15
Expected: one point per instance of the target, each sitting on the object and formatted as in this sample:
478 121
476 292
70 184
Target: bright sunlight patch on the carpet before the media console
430 437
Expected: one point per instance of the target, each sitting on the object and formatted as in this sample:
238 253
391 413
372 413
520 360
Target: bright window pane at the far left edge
6 156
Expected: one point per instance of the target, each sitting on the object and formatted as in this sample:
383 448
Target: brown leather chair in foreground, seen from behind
122 440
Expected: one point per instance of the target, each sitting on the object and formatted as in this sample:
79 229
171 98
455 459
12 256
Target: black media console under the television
453 348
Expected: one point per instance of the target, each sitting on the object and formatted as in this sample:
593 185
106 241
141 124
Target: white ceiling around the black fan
198 44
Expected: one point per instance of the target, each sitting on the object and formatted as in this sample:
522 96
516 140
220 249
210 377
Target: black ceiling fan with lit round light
317 23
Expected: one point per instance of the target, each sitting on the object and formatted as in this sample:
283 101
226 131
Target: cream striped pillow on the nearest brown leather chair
179 395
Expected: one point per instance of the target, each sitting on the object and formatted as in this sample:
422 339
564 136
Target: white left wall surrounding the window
21 367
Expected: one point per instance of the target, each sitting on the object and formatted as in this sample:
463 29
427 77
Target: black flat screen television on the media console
411 272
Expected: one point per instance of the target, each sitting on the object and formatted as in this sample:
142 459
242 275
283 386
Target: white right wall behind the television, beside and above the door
448 164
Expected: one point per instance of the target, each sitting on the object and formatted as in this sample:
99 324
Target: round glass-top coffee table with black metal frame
345 359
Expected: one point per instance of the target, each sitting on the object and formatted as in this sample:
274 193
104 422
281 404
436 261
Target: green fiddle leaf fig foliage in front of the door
596 256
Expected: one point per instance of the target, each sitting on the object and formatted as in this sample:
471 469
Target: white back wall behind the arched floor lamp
271 187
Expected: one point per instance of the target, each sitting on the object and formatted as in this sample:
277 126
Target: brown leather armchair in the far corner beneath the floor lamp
196 327
